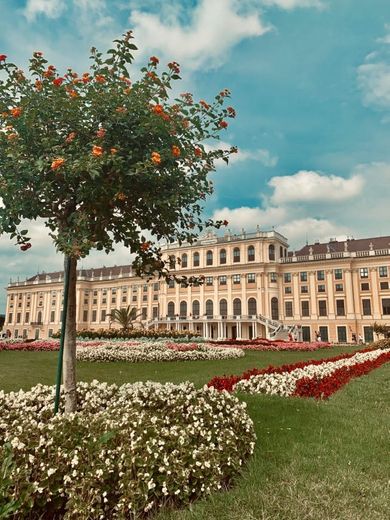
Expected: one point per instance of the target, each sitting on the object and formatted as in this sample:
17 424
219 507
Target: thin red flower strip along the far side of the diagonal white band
227 382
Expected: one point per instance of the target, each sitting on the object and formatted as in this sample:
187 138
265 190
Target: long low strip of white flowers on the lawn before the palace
154 351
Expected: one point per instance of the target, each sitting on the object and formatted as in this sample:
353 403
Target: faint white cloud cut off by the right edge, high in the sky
374 81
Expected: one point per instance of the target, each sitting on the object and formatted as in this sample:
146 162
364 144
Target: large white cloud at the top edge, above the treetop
213 29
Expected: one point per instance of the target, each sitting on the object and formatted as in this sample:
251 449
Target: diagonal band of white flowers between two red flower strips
284 384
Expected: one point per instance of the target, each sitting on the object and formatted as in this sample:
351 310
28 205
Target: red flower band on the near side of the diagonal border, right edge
326 386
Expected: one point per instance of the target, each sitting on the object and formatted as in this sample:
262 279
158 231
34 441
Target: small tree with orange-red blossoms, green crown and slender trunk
102 159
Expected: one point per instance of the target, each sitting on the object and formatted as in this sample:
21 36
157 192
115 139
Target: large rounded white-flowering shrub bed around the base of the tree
128 450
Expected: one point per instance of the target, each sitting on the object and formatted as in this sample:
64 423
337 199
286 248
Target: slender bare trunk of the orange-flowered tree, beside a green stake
69 373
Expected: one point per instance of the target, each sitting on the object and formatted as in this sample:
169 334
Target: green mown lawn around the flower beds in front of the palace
313 460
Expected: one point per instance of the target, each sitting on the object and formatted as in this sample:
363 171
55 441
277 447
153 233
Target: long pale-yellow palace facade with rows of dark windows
253 287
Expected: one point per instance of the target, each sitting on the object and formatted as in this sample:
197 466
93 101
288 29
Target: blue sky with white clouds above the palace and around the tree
310 81
